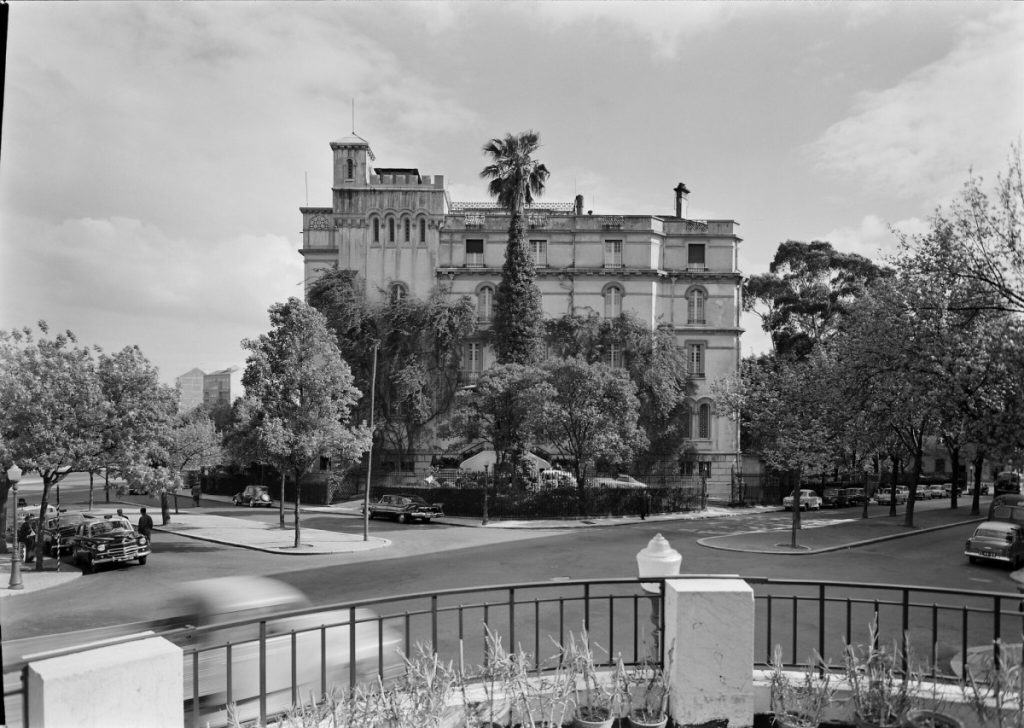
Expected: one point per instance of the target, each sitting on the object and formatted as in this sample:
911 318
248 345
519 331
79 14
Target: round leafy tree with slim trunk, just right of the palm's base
593 412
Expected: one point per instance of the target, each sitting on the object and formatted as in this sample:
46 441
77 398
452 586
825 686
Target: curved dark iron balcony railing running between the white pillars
267 665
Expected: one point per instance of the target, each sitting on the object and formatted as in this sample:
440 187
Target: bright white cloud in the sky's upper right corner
920 138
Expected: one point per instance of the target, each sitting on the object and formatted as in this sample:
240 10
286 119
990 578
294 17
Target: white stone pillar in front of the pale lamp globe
709 627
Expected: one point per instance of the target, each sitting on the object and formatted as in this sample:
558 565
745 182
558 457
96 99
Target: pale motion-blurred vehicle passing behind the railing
304 653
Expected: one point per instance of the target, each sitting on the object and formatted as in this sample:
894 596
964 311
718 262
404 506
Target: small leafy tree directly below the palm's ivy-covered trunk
503 411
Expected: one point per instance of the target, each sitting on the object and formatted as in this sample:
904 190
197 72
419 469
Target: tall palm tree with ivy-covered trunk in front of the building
516 180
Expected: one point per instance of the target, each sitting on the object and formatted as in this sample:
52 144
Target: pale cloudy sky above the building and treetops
155 156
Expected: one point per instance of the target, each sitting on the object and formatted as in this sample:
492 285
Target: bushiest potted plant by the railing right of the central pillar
880 692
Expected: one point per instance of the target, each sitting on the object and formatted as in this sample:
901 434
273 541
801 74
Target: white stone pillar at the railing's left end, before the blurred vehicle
133 684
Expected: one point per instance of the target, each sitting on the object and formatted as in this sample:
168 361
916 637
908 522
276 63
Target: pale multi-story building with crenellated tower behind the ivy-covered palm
400 232
